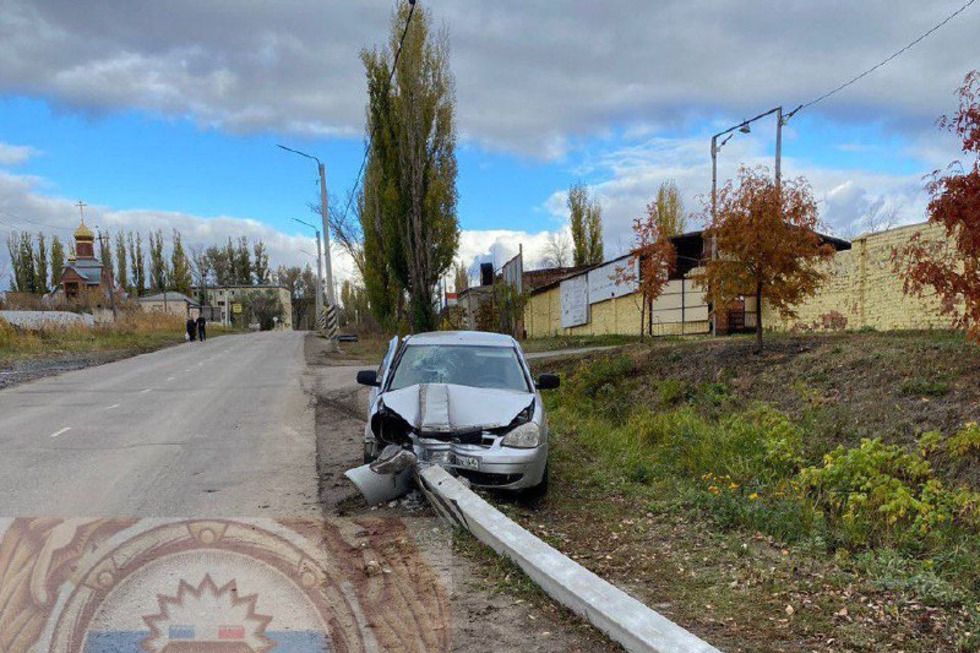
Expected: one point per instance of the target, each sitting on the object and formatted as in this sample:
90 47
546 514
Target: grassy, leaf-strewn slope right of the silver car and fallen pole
749 473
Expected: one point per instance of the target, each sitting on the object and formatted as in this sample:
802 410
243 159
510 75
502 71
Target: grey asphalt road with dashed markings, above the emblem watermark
224 427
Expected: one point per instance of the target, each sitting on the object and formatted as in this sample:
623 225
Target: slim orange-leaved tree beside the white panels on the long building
652 260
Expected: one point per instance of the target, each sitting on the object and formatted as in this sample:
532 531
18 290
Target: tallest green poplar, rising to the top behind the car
408 200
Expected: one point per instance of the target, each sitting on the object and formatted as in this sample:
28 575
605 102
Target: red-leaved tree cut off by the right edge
951 266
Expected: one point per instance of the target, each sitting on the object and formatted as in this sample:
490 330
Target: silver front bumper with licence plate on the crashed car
498 467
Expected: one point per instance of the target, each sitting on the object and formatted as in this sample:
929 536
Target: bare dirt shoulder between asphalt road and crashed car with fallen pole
483 616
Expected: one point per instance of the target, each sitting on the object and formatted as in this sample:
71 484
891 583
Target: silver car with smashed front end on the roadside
464 400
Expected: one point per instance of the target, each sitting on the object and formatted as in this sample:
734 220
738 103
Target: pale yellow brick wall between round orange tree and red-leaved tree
862 287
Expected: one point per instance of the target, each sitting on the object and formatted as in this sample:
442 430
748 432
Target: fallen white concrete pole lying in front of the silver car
624 619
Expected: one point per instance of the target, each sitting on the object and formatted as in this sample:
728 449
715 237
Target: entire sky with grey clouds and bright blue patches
161 114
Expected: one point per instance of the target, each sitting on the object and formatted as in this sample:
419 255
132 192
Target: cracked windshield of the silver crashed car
479 367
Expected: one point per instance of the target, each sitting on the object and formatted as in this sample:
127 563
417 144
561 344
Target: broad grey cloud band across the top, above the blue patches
531 78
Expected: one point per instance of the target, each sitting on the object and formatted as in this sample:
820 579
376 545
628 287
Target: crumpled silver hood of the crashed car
446 408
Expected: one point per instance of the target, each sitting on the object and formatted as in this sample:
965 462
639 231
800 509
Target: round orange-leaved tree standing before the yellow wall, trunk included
767 244
